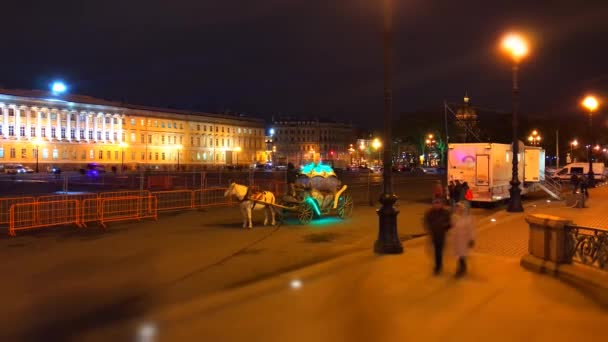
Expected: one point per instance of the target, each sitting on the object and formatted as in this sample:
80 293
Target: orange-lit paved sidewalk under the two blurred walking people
363 297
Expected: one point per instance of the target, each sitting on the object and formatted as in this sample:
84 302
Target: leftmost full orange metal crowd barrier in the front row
44 214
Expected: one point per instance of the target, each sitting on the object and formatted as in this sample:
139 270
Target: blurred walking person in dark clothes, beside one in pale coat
437 222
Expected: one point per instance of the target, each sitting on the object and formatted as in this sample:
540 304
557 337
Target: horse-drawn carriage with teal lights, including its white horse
317 191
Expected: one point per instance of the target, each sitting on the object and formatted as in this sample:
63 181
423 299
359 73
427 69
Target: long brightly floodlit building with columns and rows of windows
72 131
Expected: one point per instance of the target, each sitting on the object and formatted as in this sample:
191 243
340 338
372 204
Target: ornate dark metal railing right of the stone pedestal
588 246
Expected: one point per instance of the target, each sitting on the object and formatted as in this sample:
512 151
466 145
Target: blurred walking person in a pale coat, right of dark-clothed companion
463 237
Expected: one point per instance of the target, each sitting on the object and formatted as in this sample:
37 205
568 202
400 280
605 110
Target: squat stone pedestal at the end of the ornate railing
548 240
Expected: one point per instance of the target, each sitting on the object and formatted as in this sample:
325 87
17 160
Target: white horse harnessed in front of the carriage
251 200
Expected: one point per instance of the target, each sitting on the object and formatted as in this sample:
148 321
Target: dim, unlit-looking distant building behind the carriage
299 141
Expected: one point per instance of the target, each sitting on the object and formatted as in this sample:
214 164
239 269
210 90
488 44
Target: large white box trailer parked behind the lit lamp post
487 168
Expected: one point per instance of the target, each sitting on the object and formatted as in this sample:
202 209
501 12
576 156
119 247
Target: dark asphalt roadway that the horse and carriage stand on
64 283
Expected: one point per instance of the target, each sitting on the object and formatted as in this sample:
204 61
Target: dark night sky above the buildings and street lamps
316 57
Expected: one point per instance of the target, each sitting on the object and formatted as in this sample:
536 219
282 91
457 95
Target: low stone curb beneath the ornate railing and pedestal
593 283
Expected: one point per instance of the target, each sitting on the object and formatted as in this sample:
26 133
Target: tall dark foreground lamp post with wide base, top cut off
388 239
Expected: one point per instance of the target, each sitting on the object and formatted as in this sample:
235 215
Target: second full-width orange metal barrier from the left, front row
127 208
